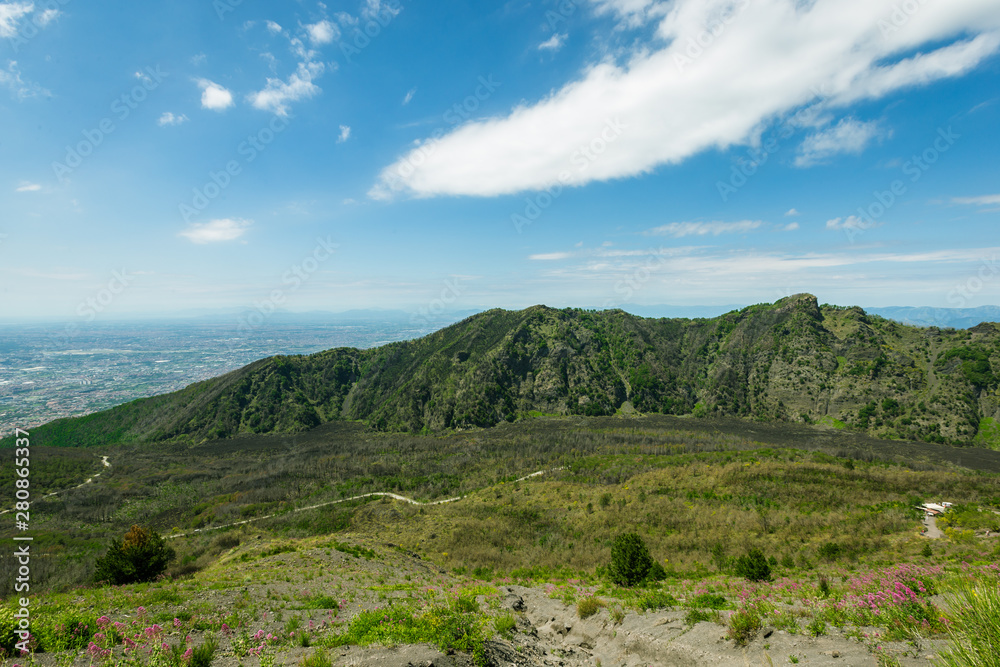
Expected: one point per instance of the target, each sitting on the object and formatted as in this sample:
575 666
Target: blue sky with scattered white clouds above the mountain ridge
168 157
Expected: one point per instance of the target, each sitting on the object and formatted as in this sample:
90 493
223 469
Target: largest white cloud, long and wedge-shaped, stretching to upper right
772 59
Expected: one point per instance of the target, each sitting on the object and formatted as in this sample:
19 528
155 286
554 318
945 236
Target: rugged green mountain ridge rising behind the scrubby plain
792 360
